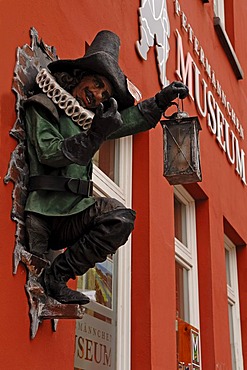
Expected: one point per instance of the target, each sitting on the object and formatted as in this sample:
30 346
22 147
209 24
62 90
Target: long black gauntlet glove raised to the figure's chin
81 148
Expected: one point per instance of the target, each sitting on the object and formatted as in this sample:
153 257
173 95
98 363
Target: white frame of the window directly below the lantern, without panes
187 255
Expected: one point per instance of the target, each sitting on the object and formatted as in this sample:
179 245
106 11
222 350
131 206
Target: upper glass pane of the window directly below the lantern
180 221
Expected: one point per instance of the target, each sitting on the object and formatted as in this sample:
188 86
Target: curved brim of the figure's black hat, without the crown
103 64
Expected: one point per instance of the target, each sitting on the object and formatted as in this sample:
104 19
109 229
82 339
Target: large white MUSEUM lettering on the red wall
207 106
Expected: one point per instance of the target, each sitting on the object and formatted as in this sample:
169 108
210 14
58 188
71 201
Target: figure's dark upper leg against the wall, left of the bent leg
38 230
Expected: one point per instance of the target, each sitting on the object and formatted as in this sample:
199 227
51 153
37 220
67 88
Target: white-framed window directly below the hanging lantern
186 256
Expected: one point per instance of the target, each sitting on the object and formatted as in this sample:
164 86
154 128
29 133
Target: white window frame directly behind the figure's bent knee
122 192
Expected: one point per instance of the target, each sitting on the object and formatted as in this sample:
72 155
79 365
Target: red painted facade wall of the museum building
221 197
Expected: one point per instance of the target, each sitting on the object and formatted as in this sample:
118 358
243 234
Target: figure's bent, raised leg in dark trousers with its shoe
90 236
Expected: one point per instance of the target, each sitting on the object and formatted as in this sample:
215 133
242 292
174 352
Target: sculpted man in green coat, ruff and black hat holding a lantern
61 212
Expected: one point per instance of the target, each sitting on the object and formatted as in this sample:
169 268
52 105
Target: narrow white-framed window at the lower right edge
233 305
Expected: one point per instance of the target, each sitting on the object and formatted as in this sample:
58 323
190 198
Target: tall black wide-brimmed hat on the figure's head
101 58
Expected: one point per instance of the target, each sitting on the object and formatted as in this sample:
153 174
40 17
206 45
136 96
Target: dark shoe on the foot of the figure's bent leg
58 290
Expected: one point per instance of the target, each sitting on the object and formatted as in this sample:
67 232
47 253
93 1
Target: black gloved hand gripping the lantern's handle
169 93
